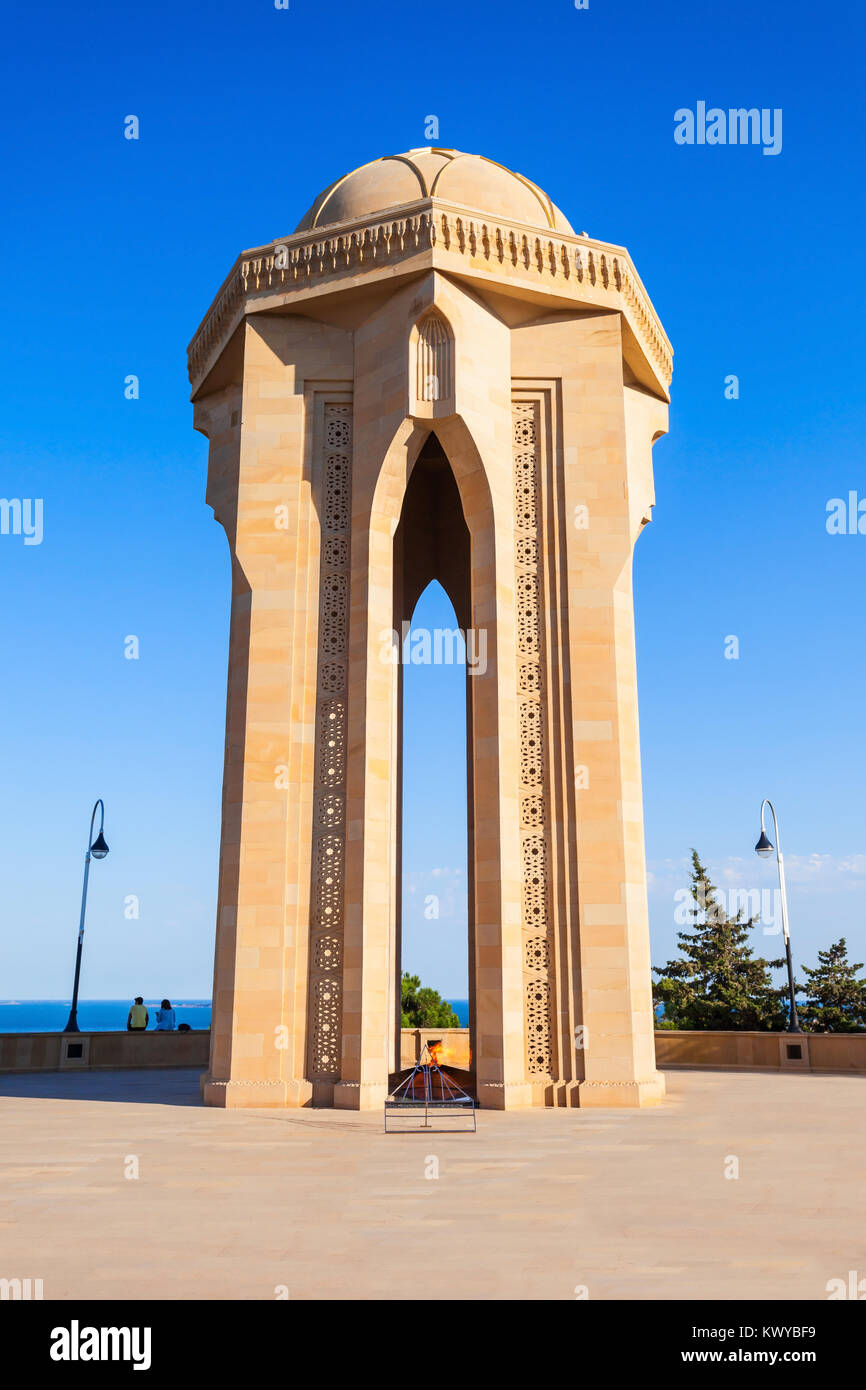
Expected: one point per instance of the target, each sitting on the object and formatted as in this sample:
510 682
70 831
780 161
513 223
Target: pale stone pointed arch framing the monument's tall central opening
373 806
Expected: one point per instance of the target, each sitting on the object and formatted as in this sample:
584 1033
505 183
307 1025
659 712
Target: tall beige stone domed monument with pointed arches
434 377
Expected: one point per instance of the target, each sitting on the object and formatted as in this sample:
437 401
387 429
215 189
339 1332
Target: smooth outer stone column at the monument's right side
616 1006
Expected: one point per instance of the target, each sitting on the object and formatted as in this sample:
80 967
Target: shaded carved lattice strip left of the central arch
330 849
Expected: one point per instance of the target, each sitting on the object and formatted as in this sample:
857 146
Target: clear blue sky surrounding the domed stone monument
113 251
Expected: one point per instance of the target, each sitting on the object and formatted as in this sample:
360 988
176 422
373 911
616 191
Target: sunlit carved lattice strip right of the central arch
532 736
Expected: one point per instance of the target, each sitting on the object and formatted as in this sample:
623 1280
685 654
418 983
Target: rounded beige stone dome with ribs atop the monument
469 180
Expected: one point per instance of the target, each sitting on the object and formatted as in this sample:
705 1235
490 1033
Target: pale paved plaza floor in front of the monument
234 1204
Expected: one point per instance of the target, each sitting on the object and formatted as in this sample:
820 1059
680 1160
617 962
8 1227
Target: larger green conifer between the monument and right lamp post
719 983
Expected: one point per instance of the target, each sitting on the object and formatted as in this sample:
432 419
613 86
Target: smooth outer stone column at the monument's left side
259 493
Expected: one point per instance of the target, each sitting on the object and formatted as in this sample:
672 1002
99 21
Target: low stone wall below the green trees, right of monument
762 1052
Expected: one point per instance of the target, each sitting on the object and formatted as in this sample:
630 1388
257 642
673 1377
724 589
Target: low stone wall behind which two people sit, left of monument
94 1052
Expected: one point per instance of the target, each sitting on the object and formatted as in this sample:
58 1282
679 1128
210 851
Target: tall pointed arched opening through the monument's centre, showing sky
433 614
